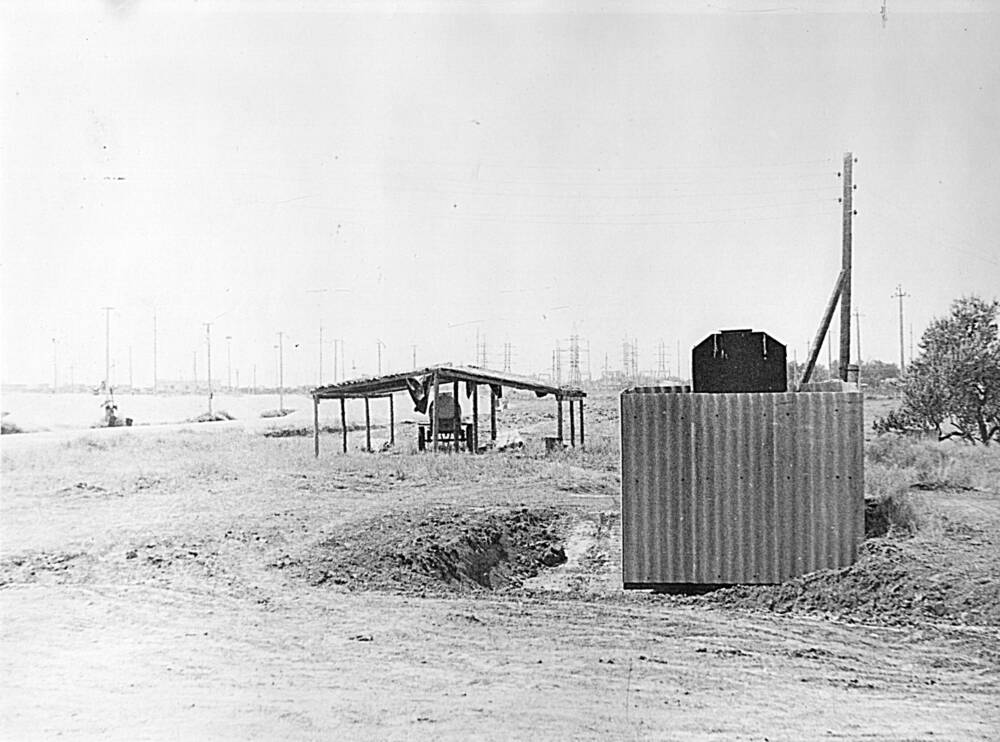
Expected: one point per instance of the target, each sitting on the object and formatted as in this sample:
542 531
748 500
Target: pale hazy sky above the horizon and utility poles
428 174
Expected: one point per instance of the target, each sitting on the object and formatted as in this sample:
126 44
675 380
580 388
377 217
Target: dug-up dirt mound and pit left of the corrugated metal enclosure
443 548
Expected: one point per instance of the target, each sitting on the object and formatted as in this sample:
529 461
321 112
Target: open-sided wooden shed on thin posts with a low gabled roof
423 387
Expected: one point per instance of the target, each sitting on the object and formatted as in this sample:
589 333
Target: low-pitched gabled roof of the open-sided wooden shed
389 383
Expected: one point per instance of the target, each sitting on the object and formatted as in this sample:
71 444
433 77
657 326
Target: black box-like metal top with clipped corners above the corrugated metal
739 361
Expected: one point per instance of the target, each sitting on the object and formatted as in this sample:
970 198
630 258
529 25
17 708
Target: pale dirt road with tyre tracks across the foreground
143 663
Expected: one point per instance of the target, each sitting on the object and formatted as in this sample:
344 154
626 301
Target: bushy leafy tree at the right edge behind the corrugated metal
956 377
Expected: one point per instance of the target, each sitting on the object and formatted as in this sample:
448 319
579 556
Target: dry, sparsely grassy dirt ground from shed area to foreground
219 584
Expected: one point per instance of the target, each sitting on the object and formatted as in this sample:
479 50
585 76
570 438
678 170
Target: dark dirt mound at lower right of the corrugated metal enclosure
948 578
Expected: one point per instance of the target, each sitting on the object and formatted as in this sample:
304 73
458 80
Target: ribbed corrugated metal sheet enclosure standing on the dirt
739 488
